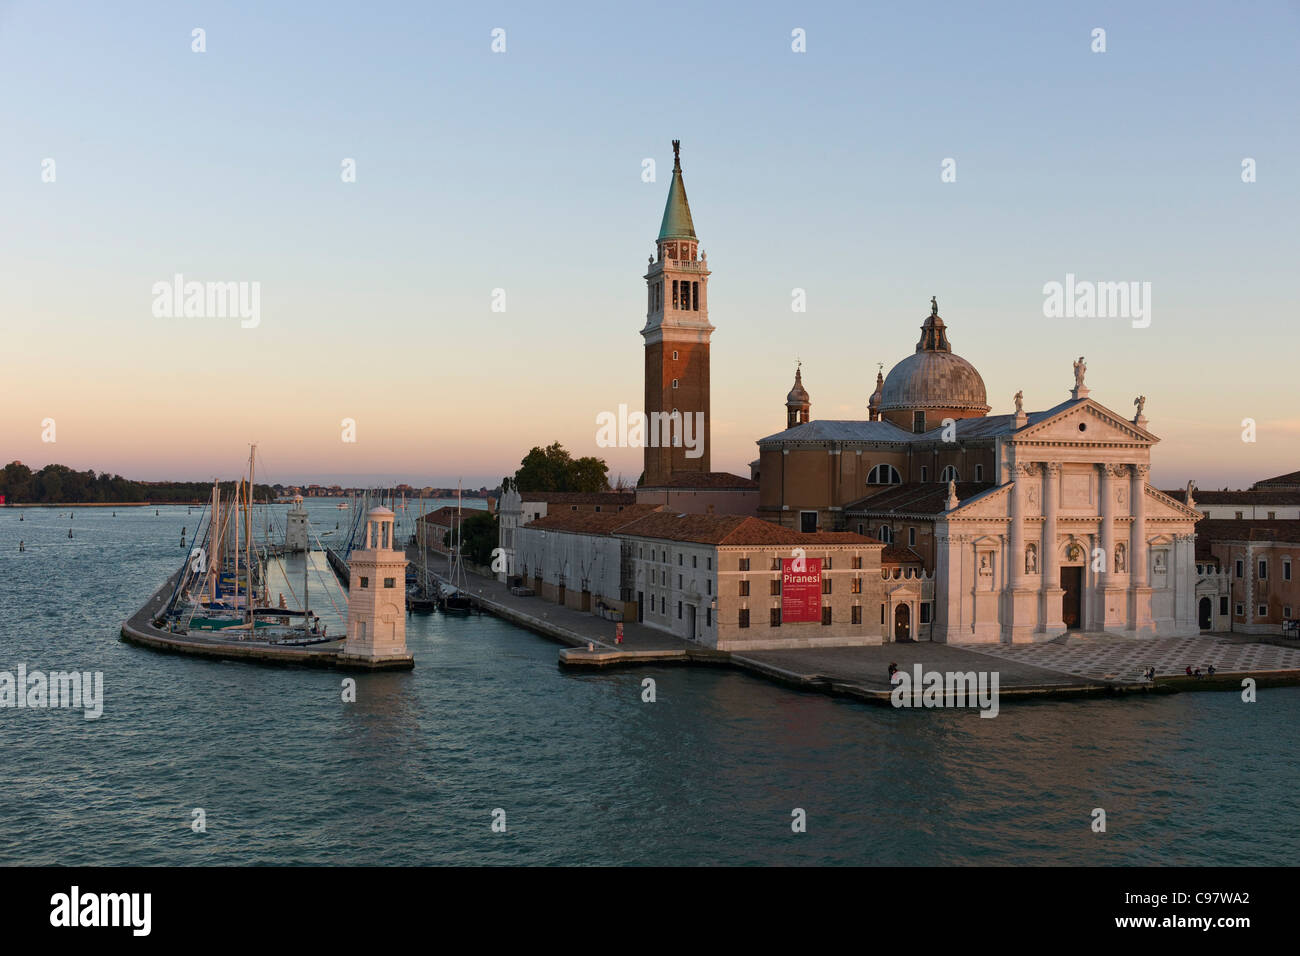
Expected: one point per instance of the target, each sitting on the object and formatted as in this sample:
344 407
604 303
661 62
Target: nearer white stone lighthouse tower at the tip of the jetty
376 599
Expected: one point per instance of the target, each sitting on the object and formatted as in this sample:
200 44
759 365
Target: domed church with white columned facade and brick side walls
1033 524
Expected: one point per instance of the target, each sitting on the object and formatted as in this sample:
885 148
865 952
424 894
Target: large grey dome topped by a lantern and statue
934 378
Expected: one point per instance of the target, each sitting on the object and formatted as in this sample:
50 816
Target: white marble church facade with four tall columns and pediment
1072 539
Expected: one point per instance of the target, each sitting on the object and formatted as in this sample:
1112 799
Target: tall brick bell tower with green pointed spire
677 338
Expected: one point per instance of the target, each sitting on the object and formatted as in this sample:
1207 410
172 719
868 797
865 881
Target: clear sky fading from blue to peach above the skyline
522 171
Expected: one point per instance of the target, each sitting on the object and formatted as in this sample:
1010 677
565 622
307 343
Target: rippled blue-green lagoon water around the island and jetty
584 771
